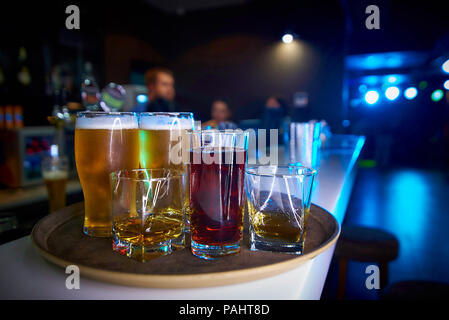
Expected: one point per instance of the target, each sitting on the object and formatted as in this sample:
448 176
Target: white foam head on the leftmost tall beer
109 122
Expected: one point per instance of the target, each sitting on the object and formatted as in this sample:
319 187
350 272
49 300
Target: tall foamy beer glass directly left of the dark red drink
164 144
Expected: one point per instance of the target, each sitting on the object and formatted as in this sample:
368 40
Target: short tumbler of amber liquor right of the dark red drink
278 202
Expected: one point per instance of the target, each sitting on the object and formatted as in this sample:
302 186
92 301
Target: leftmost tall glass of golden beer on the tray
104 143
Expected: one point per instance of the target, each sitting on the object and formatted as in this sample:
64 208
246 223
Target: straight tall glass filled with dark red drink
217 170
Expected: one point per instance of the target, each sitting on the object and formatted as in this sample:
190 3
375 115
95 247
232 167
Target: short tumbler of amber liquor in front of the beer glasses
148 212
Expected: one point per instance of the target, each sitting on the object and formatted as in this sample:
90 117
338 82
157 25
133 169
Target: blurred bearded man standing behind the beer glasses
161 86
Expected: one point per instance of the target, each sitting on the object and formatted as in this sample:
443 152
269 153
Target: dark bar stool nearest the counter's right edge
365 245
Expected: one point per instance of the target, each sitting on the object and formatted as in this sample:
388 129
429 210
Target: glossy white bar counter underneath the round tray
24 274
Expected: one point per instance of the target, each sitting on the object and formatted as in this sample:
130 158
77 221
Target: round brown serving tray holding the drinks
59 239
